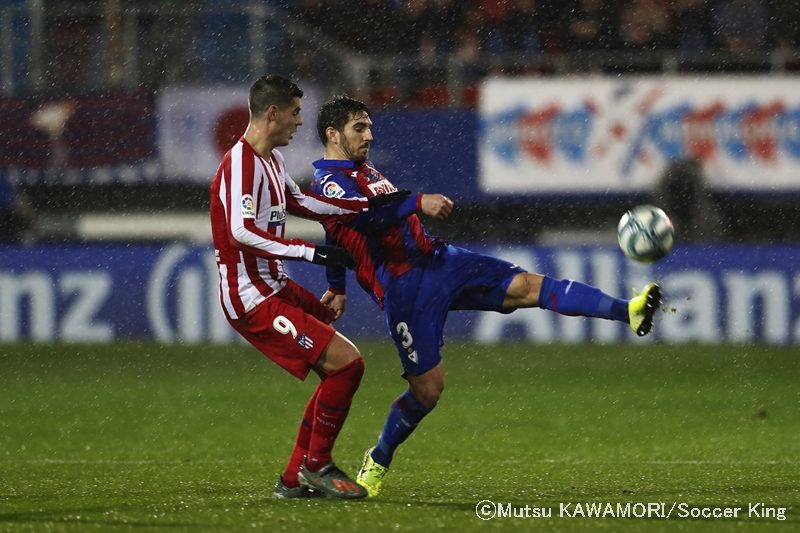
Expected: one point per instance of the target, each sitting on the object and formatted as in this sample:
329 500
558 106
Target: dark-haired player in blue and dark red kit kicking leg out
417 279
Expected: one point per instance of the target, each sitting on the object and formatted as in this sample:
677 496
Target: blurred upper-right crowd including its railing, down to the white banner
420 41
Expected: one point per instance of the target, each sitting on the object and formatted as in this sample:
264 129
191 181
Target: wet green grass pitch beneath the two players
191 438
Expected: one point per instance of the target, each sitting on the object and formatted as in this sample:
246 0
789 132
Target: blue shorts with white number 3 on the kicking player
416 304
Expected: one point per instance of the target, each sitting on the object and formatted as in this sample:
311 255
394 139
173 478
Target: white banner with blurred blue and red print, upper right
603 134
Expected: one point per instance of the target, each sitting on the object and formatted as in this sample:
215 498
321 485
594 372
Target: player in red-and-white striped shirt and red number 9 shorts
250 196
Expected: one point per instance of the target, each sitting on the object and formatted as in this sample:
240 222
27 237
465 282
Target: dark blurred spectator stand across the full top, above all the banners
415 51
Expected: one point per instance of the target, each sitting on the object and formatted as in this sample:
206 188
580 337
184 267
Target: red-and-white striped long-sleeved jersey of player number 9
250 196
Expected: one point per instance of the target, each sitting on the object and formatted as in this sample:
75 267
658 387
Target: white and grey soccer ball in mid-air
645 233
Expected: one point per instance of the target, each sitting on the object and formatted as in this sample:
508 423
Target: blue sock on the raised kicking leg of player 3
569 297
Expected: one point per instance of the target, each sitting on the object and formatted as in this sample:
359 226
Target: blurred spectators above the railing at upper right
467 27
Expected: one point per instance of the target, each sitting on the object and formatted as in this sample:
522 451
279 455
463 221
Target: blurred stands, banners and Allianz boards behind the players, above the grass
543 120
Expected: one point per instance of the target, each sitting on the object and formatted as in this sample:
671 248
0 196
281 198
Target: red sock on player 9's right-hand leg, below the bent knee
333 403
